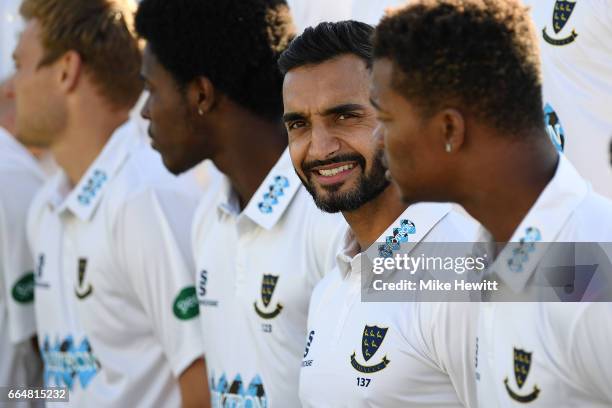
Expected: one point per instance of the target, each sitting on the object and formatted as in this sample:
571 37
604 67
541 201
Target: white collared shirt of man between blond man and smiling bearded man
256 270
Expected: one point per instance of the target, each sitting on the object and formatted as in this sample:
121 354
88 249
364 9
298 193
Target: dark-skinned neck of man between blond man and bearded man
253 146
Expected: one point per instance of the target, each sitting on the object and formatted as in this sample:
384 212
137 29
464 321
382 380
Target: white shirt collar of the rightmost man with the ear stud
517 261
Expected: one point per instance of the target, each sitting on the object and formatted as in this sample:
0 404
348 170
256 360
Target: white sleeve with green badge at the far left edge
16 262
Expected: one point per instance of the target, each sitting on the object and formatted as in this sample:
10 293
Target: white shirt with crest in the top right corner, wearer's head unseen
576 60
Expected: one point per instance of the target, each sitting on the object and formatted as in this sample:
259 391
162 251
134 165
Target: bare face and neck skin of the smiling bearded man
327 114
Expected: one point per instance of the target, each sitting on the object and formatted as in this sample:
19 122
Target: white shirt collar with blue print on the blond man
83 200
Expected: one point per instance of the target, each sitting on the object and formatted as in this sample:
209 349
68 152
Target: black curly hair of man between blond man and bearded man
234 43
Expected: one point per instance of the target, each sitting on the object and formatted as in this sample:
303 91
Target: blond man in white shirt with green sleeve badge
115 304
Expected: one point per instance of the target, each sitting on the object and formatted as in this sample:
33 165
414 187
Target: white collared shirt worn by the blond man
115 300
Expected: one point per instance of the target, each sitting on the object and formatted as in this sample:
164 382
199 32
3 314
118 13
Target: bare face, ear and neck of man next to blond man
198 123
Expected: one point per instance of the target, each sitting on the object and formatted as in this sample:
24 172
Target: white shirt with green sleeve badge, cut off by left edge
20 178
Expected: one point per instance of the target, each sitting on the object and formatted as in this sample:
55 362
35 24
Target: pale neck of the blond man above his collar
83 140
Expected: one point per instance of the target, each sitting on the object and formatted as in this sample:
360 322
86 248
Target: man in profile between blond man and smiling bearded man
259 242
